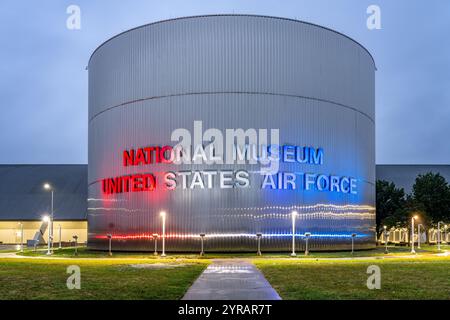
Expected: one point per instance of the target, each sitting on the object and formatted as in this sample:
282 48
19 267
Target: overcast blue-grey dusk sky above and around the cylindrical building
43 81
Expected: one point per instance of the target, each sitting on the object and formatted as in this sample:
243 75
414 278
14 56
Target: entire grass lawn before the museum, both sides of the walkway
103 277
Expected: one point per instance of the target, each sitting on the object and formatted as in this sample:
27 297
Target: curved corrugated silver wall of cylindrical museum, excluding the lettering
313 84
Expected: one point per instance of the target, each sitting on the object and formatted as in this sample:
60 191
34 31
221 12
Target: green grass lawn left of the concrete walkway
100 279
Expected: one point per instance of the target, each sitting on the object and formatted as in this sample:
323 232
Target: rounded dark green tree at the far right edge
432 192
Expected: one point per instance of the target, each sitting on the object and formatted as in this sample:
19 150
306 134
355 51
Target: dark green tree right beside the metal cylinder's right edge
390 202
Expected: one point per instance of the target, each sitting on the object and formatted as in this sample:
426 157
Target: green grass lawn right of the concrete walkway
417 278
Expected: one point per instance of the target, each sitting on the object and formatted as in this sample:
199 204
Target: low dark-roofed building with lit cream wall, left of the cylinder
23 200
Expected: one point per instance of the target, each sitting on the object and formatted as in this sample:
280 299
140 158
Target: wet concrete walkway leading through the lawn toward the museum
231 279
